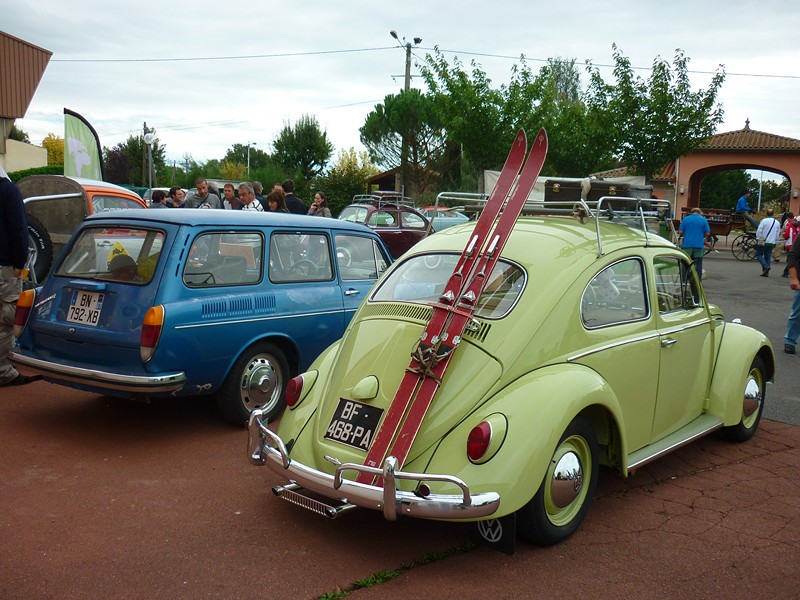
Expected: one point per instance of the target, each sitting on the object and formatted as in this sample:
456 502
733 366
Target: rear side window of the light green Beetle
617 294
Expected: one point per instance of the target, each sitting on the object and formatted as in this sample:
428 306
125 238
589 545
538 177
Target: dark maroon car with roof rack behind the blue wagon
399 225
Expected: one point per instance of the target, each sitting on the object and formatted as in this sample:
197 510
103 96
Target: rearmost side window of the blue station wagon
222 259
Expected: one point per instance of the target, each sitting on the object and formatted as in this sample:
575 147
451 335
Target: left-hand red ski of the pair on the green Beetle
411 380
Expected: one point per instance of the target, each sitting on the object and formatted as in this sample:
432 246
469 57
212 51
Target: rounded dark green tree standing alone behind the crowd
303 148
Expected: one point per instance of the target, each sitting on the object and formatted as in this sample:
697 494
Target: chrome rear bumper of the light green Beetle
266 447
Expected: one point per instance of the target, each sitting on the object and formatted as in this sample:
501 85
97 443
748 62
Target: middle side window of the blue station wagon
298 256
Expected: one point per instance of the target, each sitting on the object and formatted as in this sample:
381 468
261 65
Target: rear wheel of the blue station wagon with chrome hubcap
257 380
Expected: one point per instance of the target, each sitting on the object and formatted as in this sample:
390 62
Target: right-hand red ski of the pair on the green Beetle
440 357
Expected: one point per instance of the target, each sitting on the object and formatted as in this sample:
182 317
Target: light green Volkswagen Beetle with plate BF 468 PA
592 344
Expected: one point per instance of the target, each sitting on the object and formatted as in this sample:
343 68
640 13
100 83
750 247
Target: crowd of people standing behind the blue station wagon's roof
250 197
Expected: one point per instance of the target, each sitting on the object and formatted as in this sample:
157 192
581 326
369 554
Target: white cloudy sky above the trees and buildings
265 63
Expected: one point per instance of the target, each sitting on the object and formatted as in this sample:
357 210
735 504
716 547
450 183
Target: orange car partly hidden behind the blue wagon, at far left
55 205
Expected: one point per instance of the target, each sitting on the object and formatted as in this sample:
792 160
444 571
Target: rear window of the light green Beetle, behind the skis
423 278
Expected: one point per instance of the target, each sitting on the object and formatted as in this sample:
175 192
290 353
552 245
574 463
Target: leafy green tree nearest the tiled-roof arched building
655 121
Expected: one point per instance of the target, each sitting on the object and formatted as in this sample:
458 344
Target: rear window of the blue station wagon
122 254
